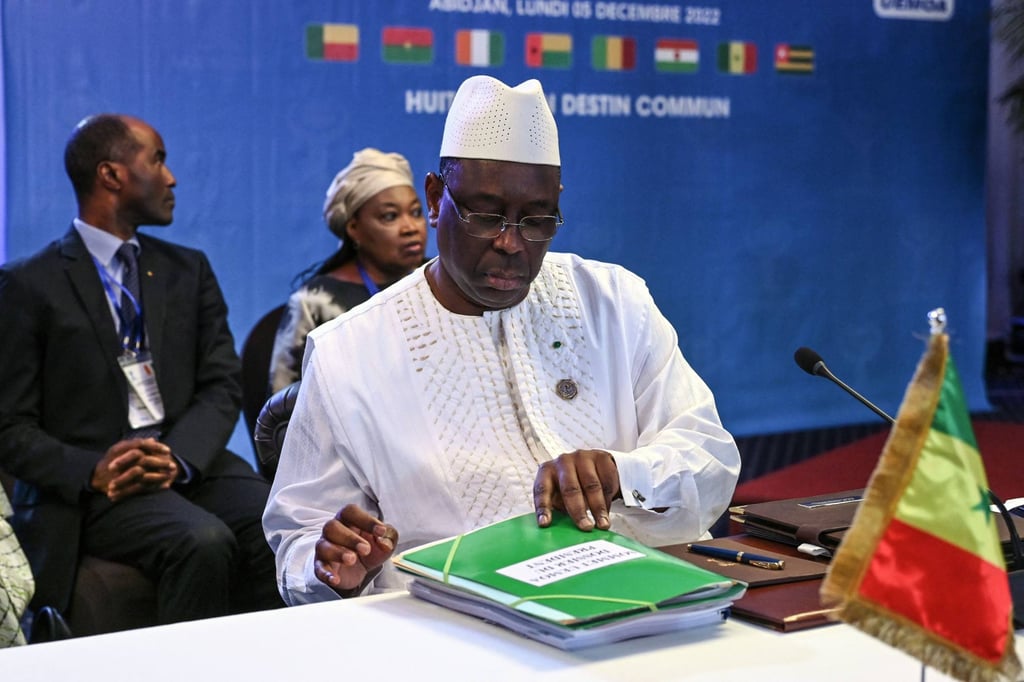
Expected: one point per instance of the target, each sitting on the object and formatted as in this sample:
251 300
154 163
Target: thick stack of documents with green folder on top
566 587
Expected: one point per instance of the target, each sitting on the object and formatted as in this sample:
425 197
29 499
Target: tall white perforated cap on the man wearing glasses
490 120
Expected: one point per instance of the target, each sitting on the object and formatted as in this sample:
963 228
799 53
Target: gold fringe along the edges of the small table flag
891 477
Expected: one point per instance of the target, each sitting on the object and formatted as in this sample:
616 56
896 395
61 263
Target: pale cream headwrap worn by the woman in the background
370 172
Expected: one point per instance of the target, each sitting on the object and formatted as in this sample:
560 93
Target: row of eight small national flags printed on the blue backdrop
482 48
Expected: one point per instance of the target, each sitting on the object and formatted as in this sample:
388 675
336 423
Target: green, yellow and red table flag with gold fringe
922 568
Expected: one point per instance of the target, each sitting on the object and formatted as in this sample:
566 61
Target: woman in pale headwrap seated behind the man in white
373 207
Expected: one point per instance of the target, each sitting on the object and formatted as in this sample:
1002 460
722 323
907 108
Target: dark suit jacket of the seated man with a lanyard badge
63 396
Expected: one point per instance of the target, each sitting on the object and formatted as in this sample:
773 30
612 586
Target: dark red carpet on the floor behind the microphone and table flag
850 466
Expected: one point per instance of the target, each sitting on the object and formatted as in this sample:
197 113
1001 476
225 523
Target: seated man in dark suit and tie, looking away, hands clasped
119 391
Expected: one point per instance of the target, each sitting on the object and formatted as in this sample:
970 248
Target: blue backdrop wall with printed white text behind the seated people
767 210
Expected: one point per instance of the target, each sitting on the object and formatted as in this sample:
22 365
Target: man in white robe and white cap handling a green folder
495 380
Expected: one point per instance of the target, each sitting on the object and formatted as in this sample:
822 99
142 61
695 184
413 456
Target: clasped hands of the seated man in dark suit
135 467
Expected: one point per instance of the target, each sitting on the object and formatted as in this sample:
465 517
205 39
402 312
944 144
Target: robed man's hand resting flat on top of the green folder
578 483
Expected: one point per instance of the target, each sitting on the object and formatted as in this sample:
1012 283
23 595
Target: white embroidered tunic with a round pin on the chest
438 422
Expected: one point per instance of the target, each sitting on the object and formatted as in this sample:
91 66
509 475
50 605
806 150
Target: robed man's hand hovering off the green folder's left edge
353 547
